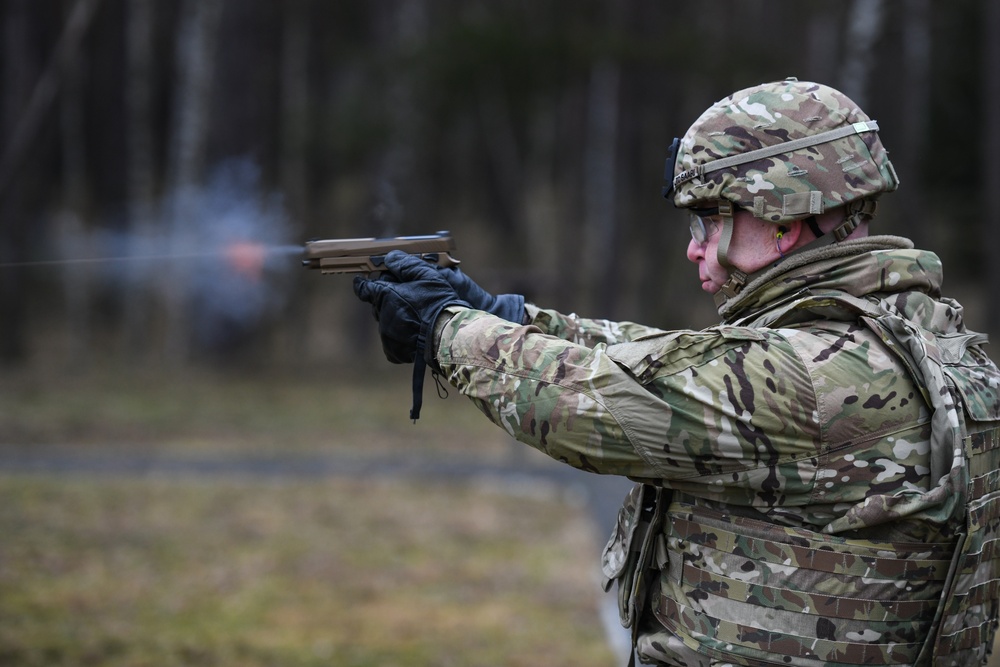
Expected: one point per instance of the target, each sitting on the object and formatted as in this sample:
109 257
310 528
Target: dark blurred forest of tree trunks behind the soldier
159 133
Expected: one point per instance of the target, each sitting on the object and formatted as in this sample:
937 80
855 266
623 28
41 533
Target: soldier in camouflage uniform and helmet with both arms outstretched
816 477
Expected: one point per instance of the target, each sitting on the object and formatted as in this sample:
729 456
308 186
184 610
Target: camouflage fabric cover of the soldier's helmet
779 188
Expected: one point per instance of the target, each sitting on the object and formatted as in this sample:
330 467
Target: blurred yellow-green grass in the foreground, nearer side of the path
168 571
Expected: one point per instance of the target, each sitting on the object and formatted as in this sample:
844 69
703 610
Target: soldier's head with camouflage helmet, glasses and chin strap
770 170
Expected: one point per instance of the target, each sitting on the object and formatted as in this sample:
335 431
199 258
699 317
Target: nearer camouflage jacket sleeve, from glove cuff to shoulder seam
666 407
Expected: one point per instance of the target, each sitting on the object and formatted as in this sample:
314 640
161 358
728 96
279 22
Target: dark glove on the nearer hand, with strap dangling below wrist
406 300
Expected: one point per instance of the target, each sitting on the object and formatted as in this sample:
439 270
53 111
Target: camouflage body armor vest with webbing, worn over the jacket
713 579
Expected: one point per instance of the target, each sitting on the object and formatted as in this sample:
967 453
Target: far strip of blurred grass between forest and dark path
341 411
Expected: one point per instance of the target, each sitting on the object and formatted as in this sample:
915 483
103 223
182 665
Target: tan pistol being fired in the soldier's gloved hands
368 255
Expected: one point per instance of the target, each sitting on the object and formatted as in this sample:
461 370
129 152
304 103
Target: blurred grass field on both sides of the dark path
173 569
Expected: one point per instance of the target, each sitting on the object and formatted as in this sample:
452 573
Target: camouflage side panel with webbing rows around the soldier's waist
758 591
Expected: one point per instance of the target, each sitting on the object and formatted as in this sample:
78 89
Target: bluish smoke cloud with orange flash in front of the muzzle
220 253
